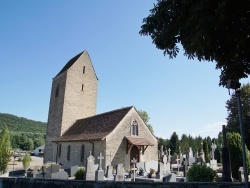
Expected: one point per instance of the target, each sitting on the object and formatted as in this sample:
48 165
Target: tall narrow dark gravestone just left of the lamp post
226 172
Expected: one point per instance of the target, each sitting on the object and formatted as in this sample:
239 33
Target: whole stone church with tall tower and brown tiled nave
74 130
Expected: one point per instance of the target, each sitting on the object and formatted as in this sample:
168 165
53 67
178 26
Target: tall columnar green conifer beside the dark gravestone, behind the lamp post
235 148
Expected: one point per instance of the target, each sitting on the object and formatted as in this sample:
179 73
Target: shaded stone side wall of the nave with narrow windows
75 153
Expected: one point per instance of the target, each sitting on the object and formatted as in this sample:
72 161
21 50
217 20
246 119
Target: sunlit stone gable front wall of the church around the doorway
117 143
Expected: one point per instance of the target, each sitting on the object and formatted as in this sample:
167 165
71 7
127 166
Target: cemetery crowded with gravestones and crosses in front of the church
170 171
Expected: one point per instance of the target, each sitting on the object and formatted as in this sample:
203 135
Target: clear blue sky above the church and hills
37 38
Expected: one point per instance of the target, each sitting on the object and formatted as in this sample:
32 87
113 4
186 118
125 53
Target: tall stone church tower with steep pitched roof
73 96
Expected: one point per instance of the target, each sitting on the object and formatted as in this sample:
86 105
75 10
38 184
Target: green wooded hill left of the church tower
22 125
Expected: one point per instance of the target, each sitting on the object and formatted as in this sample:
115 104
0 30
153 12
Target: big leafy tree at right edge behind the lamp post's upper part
233 124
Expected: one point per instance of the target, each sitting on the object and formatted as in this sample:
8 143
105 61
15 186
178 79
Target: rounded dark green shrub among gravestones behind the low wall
201 173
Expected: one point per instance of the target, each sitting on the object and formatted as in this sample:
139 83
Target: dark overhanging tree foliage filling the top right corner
207 30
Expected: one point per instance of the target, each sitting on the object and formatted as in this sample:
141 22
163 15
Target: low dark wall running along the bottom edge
48 183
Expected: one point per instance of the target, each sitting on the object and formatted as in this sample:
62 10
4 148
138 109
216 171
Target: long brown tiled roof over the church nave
95 127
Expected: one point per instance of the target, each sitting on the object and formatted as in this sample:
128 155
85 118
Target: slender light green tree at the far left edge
5 149
